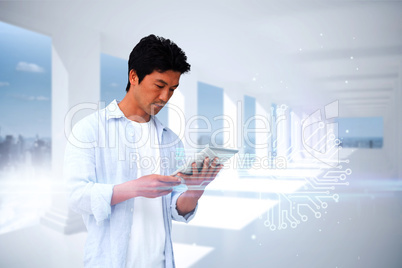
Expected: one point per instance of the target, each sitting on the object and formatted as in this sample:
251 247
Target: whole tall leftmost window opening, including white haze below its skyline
25 125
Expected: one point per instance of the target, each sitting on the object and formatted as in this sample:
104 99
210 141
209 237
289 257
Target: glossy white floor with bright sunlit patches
363 229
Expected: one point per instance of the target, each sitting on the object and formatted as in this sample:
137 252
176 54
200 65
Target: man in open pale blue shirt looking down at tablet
118 161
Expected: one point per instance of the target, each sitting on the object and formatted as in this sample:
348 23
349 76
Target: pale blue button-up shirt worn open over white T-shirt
98 157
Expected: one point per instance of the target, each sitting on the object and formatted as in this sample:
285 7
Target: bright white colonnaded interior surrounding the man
302 75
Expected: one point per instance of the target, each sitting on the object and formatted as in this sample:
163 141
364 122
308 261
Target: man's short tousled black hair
154 53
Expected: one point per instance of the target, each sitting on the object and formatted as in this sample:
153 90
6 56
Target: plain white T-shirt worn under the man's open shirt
147 239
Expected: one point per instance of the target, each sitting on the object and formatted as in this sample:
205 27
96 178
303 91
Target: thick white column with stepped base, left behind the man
75 80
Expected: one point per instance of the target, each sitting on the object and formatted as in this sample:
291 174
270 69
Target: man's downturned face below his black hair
153 92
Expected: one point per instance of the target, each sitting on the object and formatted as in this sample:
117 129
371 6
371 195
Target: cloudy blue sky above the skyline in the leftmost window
25 82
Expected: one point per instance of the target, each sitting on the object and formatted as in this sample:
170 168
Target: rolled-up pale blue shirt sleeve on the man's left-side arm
86 196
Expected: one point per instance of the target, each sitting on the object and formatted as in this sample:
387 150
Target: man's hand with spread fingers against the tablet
203 177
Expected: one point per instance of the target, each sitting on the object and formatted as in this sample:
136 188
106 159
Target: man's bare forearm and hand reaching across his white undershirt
149 186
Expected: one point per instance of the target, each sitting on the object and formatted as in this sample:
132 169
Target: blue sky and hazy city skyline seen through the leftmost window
25 99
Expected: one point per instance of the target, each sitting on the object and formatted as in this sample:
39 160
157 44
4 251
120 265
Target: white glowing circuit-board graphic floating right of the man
320 150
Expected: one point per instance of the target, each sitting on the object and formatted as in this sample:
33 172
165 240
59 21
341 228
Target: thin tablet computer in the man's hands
223 155
